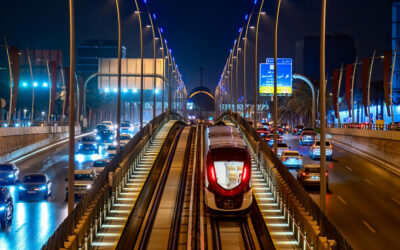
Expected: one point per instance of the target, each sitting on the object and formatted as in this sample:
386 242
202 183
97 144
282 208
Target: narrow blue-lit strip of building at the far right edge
395 43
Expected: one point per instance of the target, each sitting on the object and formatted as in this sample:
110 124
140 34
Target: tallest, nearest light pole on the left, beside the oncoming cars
71 160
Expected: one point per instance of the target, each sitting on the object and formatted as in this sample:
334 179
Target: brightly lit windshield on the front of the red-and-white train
228 173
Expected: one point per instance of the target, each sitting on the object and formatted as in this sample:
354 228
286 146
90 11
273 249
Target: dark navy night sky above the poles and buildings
200 33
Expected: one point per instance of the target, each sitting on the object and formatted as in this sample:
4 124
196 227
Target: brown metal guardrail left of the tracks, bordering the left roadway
96 203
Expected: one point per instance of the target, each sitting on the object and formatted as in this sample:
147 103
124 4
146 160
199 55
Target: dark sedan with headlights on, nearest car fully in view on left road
35 185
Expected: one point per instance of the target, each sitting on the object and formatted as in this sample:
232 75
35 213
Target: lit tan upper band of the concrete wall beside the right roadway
378 134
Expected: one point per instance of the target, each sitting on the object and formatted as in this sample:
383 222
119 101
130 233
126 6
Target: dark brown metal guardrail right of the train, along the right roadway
285 185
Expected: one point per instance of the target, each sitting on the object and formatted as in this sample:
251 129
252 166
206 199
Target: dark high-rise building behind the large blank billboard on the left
90 51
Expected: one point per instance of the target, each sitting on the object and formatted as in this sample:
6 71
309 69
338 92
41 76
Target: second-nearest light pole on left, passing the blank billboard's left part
119 77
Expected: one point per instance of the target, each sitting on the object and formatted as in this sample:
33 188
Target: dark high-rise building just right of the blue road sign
340 49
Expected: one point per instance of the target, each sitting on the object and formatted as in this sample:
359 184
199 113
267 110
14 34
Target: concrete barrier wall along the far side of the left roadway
20 141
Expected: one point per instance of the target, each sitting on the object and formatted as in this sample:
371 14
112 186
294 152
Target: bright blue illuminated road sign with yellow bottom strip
285 77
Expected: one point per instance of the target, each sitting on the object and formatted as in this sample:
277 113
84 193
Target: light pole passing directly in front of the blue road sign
276 78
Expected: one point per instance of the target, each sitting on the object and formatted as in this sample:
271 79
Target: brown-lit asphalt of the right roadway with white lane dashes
363 200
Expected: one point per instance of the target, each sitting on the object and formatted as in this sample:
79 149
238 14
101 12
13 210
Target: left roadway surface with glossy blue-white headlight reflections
35 220
